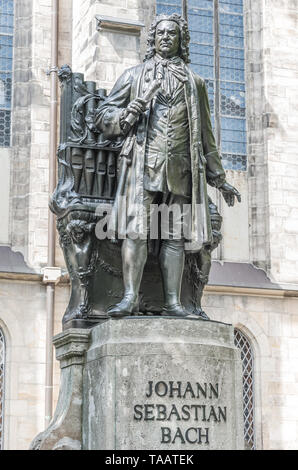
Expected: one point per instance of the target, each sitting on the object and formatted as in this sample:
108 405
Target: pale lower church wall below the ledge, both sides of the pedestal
271 324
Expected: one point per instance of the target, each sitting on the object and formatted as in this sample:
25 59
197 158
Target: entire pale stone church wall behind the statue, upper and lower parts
263 230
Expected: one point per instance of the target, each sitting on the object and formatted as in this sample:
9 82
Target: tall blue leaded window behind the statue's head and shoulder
217 55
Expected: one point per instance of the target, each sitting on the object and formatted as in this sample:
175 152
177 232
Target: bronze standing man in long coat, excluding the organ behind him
168 156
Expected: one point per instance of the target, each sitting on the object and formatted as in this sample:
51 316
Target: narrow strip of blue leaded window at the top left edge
6 53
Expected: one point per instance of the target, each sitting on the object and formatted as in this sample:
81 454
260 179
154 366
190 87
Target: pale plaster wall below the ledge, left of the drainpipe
22 318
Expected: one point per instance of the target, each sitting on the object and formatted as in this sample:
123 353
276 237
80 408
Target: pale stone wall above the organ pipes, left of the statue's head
104 55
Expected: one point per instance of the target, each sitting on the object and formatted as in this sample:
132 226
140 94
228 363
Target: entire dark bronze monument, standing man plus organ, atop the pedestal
149 141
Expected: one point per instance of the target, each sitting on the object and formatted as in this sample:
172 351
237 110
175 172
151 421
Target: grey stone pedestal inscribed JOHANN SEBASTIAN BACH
152 383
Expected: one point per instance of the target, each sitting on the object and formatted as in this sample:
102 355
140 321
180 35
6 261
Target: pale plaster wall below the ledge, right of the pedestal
272 326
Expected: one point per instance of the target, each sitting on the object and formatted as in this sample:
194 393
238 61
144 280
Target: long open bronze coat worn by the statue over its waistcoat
206 164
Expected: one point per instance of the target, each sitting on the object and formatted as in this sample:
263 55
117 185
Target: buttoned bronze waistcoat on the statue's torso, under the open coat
167 153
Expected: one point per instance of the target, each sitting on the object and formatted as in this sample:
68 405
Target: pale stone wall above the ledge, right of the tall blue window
272 113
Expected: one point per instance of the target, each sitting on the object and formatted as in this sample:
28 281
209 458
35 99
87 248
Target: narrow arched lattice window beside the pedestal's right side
242 342
